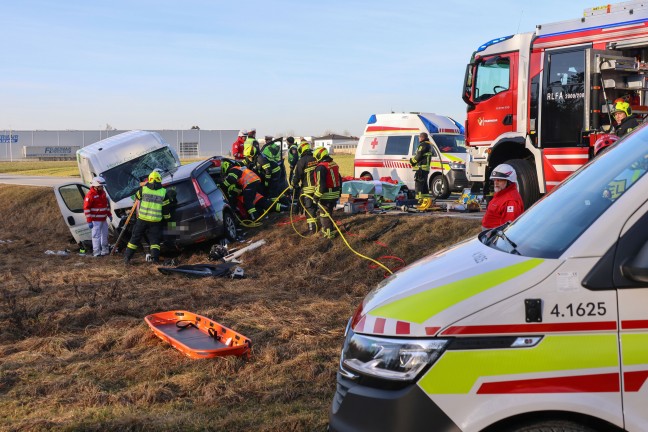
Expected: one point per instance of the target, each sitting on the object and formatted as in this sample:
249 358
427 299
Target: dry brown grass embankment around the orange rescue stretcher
75 353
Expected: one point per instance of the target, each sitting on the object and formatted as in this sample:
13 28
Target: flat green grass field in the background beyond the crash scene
69 168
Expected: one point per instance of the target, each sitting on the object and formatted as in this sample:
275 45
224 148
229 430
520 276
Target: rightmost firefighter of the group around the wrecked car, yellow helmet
328 185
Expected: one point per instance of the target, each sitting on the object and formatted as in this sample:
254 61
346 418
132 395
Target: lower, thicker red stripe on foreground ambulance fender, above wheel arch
602 383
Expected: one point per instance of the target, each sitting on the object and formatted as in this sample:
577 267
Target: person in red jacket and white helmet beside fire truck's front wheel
506 204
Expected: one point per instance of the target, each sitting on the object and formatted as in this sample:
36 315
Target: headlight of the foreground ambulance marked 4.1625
389 359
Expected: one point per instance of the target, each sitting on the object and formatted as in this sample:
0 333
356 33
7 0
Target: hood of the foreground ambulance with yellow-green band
445 287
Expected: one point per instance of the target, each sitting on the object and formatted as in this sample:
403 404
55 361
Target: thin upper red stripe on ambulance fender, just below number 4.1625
531 328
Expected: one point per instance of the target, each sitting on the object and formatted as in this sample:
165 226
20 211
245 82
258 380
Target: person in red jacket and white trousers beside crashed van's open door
96 210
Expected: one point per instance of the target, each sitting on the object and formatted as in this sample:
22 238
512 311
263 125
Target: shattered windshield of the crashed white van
123 180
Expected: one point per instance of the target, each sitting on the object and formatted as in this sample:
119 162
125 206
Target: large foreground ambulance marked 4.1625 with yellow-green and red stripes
538 325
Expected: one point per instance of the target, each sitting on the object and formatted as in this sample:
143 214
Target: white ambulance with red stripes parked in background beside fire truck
390 140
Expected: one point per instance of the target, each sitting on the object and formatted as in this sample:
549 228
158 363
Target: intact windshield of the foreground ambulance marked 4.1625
548 228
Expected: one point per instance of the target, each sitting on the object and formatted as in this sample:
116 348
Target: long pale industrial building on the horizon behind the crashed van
38 144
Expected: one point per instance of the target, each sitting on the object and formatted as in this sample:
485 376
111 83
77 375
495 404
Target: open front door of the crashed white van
70 198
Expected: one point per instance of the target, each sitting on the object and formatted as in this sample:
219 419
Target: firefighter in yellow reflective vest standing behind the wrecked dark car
153 209
